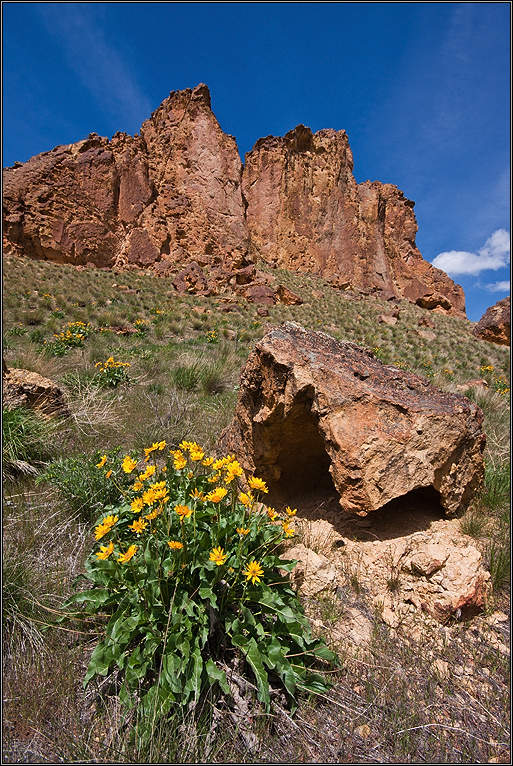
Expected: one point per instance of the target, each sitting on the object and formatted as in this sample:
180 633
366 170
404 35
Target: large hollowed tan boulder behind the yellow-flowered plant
314 411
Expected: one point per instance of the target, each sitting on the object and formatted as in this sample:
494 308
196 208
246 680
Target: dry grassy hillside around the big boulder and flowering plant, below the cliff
174 374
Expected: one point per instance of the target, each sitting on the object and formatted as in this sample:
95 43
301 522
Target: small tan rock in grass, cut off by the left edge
22 388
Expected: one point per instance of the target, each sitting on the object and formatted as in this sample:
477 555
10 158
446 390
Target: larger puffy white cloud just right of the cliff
494 255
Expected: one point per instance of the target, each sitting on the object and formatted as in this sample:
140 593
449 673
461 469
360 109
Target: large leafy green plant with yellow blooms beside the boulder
185 569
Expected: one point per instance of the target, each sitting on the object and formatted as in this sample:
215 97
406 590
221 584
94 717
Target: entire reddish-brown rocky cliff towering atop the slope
178 193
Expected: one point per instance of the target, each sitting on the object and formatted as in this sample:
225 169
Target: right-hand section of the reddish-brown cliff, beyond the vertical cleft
306 212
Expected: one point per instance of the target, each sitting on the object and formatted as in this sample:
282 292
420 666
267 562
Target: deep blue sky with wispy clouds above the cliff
422 89
